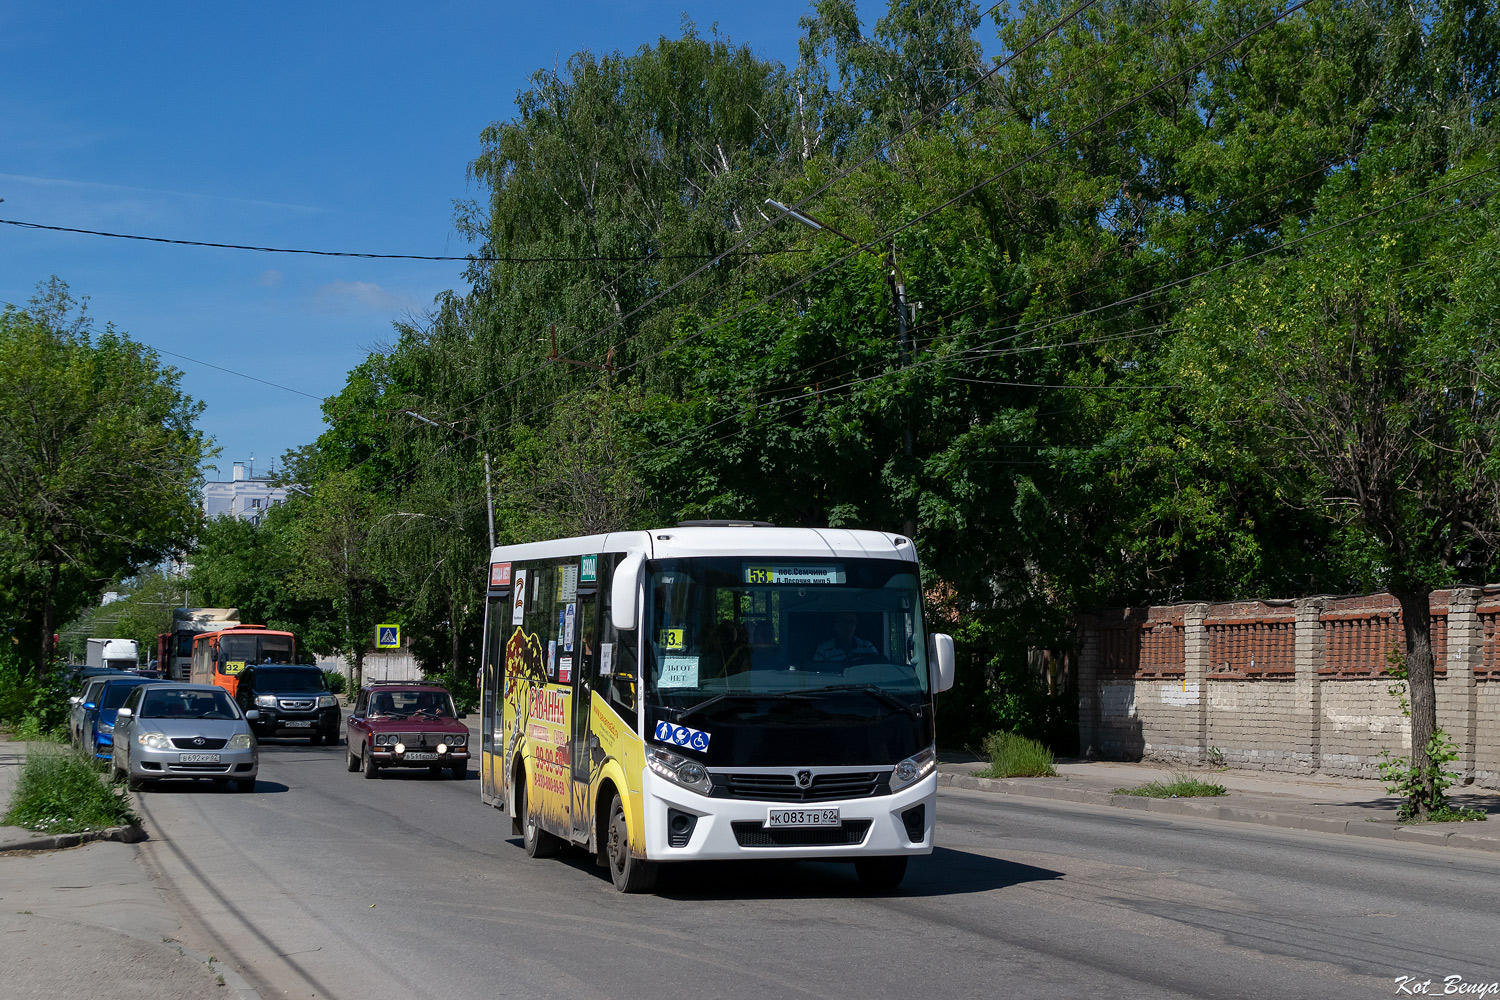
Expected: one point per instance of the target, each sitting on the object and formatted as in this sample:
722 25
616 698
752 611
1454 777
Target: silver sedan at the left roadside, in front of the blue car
184 731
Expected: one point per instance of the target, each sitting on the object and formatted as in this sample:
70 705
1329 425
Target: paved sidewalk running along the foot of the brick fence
1304 803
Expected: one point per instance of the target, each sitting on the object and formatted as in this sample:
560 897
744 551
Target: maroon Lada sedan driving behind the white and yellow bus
407 725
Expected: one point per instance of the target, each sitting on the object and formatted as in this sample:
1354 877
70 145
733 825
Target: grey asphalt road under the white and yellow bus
328 885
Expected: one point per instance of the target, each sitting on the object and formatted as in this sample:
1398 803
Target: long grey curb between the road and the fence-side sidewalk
1229 813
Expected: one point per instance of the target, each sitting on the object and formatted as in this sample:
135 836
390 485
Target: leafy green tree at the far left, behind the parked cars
98 464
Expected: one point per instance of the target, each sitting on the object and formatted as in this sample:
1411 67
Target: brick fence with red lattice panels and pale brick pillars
1286 686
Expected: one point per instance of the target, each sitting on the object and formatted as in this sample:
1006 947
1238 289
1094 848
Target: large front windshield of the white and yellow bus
749 626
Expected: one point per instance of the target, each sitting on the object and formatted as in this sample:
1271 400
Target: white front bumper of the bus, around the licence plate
724 830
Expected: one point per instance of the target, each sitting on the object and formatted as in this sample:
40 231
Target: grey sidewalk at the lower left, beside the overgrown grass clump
88 923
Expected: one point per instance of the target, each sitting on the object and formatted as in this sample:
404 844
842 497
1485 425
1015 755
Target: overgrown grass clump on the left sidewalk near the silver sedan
64 792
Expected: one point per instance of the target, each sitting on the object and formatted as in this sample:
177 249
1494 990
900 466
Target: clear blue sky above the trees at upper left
305 125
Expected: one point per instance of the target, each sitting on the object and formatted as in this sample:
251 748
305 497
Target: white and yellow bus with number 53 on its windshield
713 692
